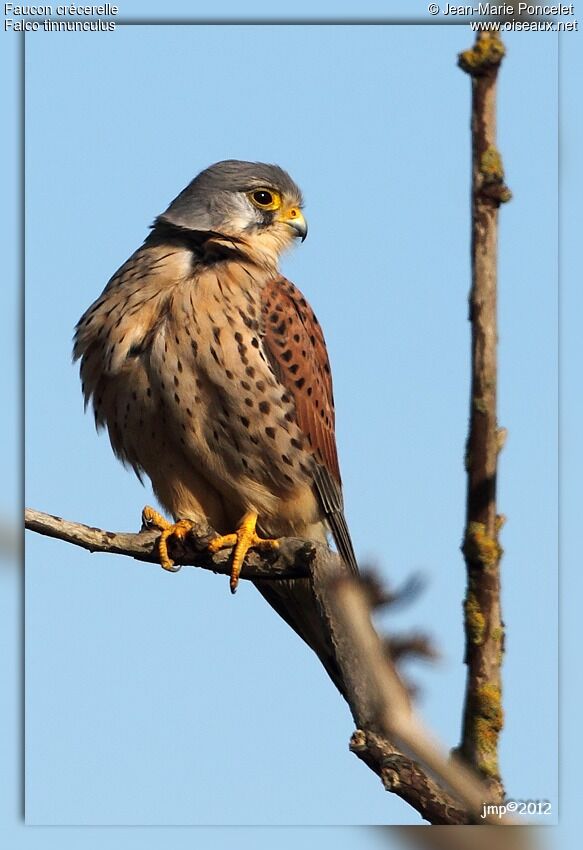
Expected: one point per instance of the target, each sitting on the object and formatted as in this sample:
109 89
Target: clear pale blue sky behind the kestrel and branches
373 124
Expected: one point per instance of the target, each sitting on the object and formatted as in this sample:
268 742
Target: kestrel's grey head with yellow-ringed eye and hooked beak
250 200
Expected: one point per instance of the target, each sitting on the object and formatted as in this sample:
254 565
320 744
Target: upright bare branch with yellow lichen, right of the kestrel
484 629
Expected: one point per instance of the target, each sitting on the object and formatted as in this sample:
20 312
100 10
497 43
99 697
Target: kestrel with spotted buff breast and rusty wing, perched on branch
209 370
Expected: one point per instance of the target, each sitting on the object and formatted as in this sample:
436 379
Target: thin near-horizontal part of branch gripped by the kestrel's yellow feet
290 561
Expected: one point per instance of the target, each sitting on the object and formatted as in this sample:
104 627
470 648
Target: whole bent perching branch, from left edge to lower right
403 774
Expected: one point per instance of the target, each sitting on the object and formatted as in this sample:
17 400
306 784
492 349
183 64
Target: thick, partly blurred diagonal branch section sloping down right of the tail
390 733
